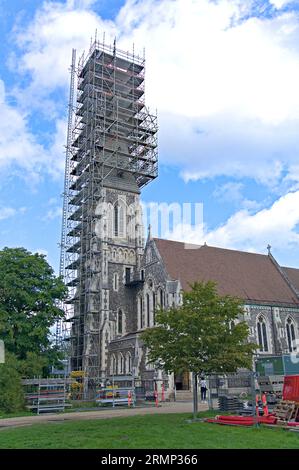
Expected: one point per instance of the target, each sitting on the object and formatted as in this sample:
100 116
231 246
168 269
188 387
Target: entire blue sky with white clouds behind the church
224 77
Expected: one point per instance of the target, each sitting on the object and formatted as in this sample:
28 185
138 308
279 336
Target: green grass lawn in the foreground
148 432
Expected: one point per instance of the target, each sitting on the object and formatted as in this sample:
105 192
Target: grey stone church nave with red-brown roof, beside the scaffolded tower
270 293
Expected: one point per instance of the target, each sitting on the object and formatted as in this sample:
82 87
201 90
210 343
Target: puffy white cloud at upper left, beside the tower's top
48 41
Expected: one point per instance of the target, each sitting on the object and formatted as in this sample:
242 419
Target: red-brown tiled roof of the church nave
248 276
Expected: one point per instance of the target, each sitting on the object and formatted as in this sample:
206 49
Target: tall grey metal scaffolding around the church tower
113 134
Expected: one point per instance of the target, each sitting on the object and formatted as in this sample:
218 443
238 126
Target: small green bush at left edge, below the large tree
11 390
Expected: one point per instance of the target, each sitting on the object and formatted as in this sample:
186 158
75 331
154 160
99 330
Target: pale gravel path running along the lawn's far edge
172 407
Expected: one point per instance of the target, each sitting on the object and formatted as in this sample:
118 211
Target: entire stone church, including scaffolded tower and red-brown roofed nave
116 280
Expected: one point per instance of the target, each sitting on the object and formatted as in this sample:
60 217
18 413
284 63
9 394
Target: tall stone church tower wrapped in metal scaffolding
112 155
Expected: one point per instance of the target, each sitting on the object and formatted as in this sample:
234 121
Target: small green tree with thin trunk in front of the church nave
201 335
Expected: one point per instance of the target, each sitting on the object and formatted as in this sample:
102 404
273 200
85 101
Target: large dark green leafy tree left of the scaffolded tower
29 306
